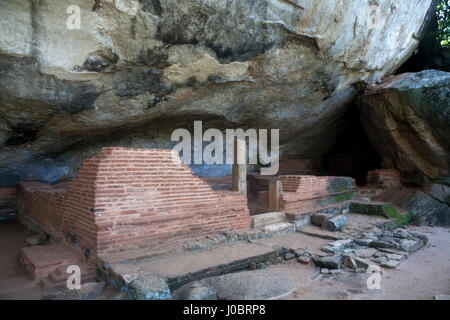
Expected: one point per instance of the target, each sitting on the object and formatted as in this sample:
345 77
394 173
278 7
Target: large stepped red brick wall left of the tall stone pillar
129 199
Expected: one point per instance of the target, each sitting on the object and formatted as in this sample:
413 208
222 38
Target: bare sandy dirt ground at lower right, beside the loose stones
425 274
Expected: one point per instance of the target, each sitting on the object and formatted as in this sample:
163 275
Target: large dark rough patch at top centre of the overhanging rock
211 28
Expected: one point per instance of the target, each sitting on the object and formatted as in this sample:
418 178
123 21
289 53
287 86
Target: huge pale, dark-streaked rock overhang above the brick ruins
136 70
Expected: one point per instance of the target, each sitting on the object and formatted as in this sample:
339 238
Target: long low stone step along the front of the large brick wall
183 267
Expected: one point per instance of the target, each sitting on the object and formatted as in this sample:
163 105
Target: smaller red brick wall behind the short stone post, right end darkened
301 193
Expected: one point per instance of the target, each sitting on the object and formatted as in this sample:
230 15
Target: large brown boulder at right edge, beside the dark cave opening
407 119
